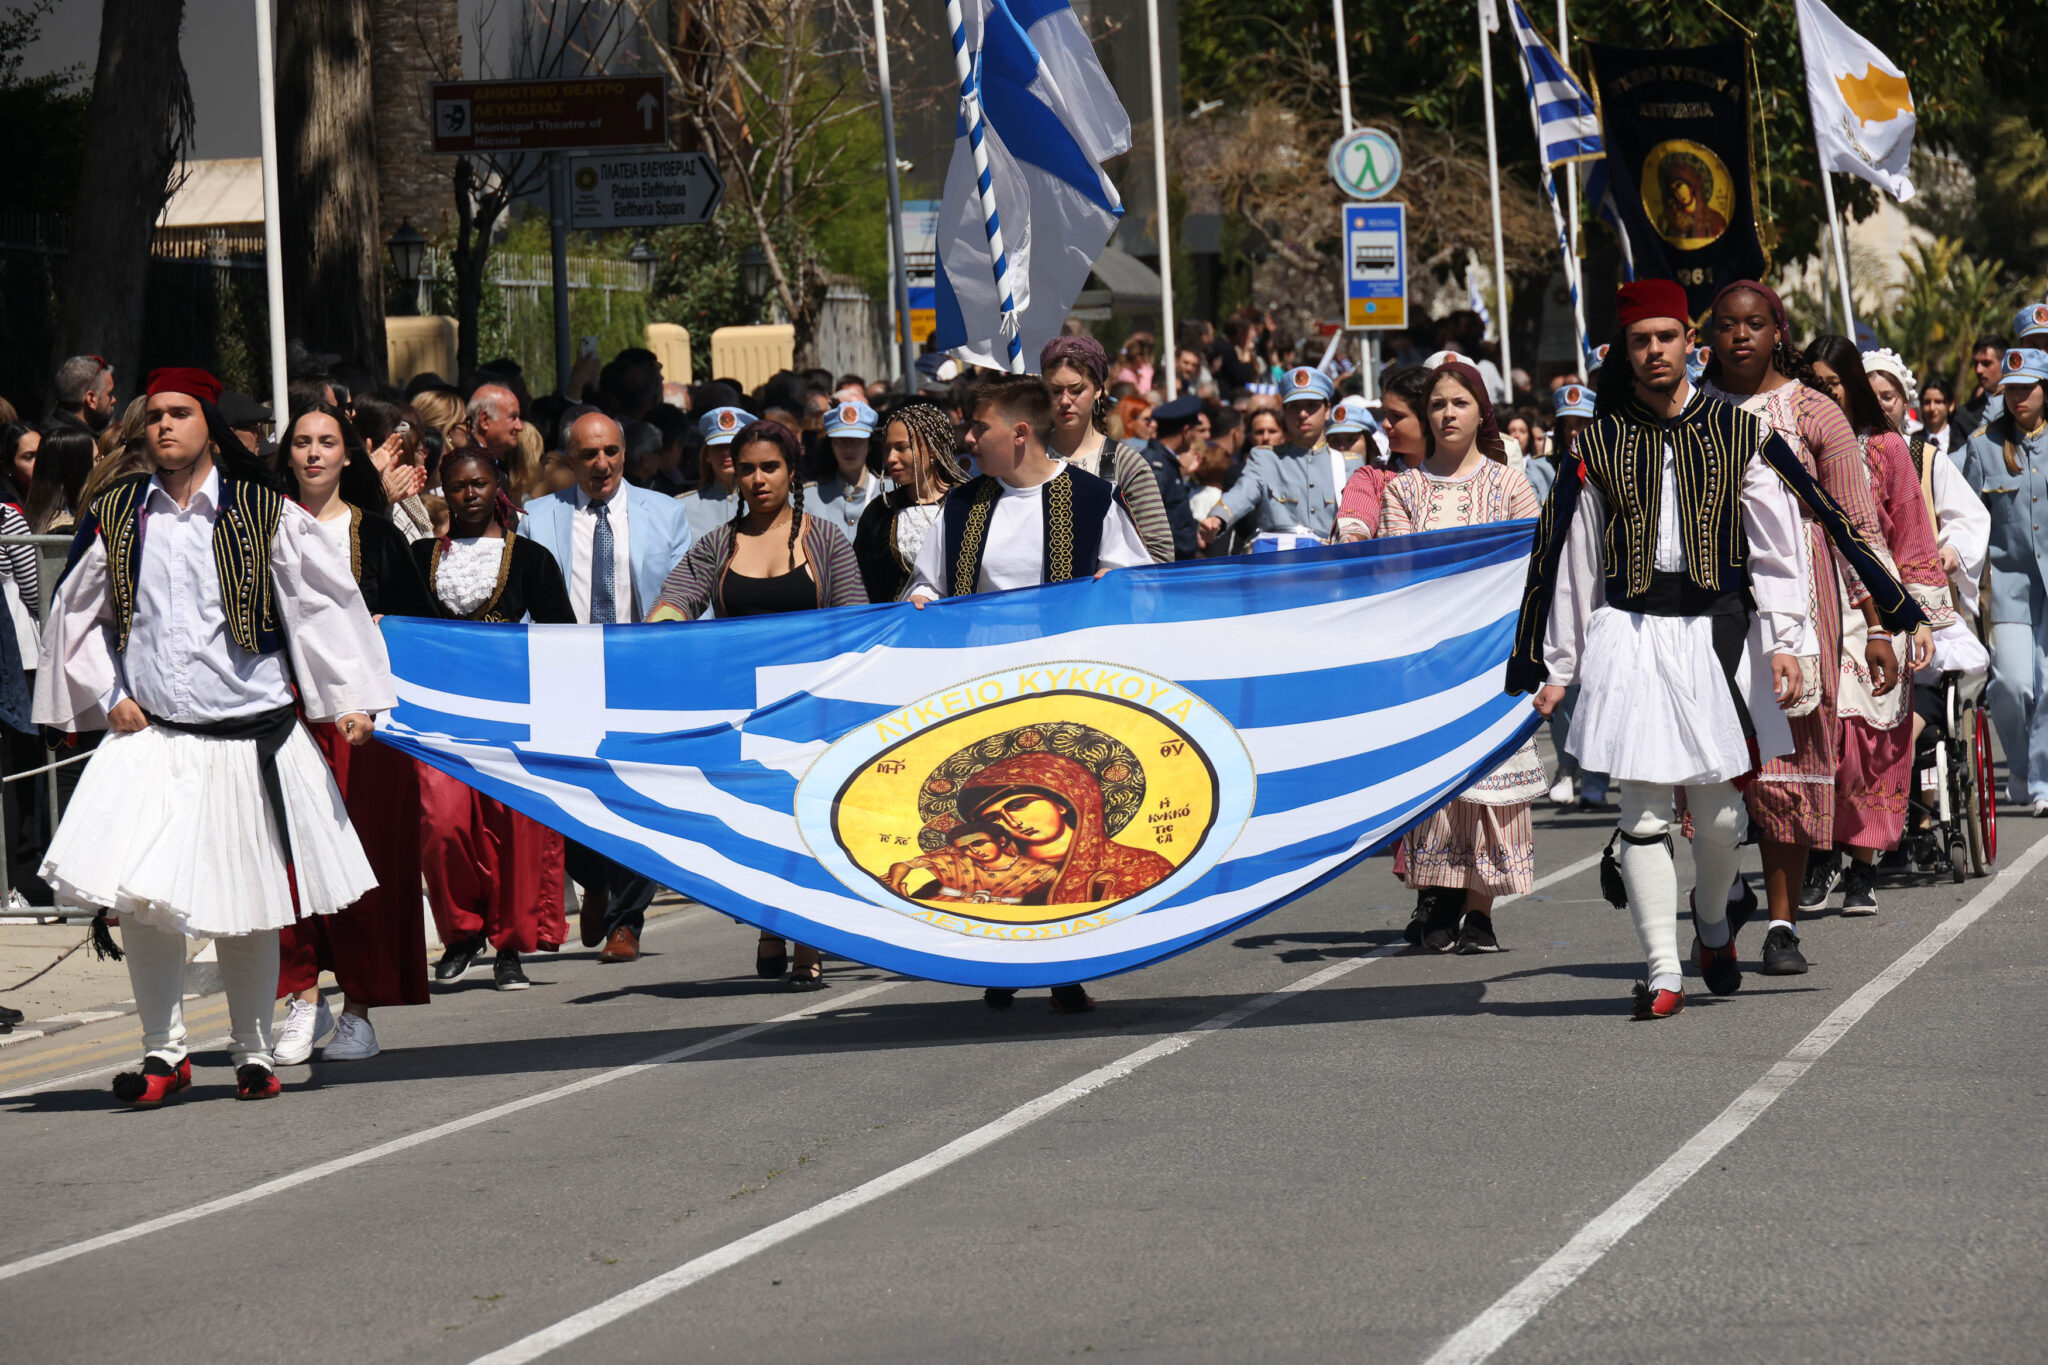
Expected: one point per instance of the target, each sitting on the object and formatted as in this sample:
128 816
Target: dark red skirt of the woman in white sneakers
378 946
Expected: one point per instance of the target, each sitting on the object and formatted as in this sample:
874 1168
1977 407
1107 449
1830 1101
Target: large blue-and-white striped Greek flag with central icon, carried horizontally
1005 791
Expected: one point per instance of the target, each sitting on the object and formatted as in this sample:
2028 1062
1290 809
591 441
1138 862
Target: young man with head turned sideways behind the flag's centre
1027 519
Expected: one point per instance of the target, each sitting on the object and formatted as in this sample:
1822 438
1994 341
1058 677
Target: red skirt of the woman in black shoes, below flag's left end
488 869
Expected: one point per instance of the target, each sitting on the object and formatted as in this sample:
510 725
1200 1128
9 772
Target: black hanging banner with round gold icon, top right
1676 126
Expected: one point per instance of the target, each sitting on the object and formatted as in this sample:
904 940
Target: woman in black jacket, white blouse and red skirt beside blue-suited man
493 877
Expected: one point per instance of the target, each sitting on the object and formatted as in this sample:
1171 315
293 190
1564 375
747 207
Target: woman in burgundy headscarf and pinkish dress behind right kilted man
1793 799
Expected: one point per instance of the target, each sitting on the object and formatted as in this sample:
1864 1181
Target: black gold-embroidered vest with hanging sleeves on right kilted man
1621 453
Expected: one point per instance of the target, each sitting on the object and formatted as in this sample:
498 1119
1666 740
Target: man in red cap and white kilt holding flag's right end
1672 523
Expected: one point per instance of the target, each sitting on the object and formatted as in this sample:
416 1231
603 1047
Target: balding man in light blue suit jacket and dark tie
615 543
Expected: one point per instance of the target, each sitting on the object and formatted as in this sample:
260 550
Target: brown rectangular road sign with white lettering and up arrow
548 116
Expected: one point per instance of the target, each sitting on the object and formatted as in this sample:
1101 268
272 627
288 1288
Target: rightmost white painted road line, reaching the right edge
1508 1315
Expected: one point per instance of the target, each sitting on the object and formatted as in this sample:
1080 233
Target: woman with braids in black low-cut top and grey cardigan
767 562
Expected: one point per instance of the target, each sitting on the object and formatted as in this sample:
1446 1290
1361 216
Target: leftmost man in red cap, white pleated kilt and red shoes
208 813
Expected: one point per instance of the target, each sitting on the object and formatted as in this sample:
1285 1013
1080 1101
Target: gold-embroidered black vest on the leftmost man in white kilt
243 533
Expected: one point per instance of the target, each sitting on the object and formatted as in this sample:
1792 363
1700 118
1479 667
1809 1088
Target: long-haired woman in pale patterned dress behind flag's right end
1480 846
